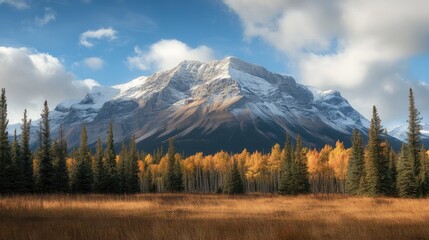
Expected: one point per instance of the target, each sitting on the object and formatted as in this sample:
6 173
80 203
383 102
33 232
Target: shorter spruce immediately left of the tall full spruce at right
355 170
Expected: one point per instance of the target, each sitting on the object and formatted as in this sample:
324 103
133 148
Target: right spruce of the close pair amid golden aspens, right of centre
300 171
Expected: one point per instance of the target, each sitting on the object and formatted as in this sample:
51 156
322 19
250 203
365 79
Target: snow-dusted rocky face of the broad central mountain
227 104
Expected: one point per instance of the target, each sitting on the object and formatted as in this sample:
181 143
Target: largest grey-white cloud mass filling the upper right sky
358 47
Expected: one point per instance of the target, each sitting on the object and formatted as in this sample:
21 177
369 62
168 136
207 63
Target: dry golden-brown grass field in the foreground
186 216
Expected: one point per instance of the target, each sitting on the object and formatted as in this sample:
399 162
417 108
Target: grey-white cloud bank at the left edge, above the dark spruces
31 77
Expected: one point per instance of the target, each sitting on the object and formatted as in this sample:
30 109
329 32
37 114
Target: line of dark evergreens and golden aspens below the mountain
373 169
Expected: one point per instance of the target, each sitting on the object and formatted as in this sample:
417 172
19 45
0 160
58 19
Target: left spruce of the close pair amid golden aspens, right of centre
286 183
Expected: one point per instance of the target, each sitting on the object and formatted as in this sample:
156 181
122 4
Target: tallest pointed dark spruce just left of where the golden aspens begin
111 183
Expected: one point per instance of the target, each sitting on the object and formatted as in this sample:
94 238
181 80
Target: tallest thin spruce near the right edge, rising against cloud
413 134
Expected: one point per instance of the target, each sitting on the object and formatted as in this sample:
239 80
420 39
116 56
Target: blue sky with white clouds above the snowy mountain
370 51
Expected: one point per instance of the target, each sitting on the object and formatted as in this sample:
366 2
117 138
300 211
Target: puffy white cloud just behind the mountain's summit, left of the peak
166 54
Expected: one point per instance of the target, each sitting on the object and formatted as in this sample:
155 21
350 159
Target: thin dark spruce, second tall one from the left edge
27 161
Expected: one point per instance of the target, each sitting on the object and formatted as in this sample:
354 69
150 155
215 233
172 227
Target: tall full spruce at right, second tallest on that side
374 155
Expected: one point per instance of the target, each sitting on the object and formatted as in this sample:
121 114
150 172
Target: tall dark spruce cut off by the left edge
6 165
